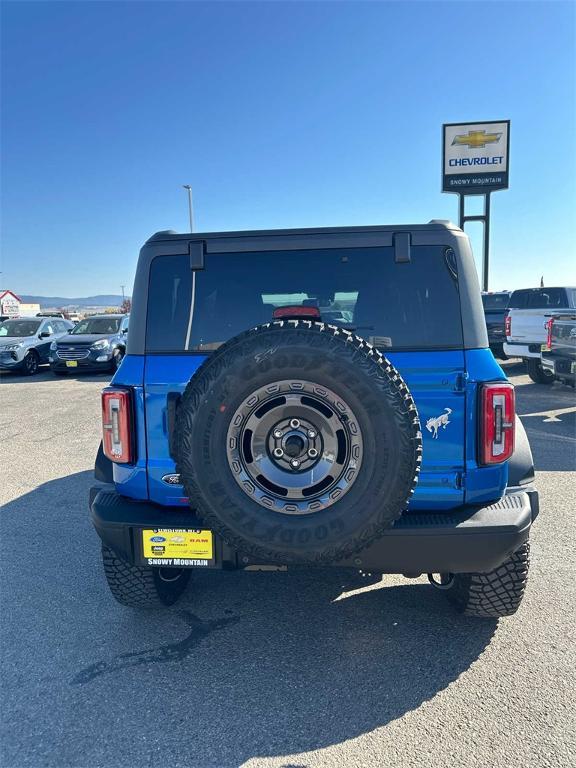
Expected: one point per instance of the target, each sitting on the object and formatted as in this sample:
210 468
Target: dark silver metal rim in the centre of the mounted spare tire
294 447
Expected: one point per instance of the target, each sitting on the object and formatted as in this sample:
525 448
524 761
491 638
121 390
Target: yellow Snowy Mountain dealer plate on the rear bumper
171 547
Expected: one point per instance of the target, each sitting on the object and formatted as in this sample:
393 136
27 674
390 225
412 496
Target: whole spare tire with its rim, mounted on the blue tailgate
298 442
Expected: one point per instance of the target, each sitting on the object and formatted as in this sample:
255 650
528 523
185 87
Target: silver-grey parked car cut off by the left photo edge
25 342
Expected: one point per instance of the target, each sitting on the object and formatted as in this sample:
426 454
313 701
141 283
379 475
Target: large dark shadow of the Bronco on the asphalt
246 665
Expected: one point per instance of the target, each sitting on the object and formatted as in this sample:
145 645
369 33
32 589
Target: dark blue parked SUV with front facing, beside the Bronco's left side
97 343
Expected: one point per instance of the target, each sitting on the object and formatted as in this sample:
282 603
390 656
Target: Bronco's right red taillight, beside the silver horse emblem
498 417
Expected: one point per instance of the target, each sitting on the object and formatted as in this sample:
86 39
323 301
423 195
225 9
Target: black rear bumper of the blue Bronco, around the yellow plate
472 539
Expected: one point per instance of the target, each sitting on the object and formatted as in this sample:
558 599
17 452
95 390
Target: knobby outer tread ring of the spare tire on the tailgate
393 389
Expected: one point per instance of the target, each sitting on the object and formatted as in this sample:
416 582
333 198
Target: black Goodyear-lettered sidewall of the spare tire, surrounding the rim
374 501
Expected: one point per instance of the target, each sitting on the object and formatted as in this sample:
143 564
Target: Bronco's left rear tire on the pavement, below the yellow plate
141 587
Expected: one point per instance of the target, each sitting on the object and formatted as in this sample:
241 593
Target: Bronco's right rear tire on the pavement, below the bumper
493 594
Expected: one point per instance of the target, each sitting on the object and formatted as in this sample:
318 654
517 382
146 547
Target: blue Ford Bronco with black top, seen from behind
313 397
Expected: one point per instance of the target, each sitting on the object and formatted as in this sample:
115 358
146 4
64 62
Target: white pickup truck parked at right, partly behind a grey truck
526 325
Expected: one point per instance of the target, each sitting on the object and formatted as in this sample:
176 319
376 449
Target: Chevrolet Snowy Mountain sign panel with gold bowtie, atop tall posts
475 157
